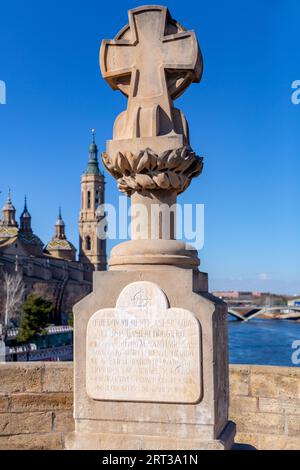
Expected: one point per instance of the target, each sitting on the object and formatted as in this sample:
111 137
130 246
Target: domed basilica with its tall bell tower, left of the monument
52 270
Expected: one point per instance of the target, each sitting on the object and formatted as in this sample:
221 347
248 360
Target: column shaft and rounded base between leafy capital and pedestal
153 233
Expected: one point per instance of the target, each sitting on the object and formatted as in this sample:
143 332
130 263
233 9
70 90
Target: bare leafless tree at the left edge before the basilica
14 290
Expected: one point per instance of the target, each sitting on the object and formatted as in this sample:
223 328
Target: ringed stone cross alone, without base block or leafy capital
137 60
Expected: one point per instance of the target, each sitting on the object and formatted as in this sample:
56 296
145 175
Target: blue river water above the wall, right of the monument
265 342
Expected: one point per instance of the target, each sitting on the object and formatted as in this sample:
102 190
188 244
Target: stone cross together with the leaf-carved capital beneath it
152 60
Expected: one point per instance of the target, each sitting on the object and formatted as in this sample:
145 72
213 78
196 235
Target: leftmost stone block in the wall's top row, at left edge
16 378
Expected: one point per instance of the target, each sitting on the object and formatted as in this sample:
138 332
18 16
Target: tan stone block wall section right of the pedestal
265 404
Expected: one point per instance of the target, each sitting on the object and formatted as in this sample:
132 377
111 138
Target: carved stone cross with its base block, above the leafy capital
152 61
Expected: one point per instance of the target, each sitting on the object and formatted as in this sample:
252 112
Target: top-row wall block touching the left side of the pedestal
58 378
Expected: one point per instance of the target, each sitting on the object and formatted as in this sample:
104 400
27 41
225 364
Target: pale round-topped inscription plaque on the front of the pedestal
142 350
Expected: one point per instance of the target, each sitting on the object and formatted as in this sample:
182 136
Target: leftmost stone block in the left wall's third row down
25 423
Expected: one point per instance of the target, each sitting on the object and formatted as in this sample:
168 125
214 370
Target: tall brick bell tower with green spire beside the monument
92 249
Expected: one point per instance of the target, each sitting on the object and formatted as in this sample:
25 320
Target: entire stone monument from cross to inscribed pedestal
151 365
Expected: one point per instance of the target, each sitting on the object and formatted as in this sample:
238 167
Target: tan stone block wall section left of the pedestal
35 404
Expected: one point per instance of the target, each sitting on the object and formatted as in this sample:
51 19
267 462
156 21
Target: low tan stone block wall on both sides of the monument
36 405
